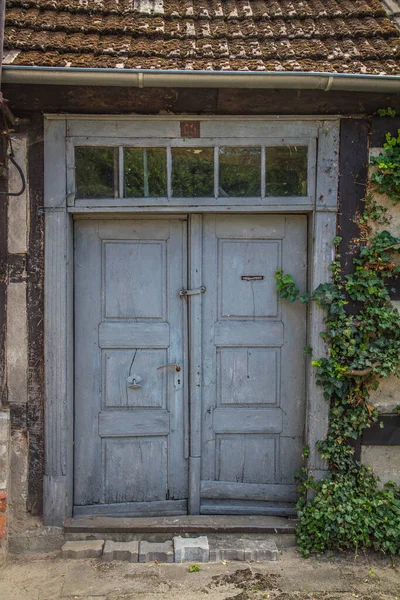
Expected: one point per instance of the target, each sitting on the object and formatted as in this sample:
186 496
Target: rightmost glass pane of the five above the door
286 171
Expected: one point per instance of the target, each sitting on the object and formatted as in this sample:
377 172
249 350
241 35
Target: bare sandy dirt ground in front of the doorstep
344 577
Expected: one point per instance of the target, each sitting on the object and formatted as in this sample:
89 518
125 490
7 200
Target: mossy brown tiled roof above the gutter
345 36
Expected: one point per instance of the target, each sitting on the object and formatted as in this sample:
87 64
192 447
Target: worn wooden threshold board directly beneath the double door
182 525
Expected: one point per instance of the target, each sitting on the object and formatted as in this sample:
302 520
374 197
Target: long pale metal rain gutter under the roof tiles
141 78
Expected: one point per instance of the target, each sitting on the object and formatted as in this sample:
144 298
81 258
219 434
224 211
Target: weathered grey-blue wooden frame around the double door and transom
59 212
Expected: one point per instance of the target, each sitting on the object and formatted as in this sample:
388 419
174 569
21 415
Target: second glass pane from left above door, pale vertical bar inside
145 172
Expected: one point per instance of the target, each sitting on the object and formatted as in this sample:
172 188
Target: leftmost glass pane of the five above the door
95 172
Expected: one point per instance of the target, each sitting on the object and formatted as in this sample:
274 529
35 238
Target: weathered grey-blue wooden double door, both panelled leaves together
169 375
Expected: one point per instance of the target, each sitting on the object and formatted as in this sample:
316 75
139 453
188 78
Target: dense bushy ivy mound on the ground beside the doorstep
349 511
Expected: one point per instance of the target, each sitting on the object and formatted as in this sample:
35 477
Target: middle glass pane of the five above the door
192 172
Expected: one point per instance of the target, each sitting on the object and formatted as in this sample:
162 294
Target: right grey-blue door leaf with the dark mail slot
253 364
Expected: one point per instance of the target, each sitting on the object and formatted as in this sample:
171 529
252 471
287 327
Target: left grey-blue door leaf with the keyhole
129 393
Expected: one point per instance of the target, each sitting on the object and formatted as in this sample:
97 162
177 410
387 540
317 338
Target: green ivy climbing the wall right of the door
348 509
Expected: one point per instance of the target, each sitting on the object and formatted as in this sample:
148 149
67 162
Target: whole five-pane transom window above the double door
257 171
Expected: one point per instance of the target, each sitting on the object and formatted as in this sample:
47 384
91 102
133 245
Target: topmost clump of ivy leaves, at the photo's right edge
387 176
